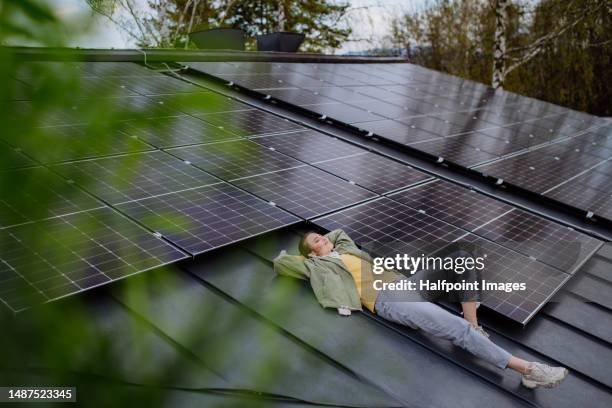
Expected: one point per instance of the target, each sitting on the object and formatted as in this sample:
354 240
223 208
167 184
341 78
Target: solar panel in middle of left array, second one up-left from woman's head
236 159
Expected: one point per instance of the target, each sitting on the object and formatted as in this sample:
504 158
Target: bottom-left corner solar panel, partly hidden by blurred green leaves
73 253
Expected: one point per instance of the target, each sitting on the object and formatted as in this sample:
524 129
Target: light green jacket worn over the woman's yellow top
331 282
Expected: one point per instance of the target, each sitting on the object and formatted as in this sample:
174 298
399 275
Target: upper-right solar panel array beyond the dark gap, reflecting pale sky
529 143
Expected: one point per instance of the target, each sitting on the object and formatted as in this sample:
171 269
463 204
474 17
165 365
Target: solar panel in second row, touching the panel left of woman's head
132 177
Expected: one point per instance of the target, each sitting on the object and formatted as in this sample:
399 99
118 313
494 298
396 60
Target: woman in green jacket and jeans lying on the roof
334 266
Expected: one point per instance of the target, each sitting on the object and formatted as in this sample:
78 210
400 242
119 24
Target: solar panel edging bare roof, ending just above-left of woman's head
209 217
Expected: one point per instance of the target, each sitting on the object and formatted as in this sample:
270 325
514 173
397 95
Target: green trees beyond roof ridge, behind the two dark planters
167 23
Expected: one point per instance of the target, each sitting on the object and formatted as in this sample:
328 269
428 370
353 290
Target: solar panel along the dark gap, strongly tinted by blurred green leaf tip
197 103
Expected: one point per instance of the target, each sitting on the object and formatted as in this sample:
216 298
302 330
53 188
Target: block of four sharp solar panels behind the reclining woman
386 227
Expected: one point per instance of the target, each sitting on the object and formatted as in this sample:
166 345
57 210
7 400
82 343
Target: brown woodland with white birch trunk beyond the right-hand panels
556 50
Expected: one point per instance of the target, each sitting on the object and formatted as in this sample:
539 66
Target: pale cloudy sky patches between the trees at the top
369 25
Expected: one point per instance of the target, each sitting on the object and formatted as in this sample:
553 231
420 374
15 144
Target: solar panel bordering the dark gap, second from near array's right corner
456 205
